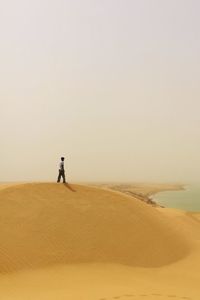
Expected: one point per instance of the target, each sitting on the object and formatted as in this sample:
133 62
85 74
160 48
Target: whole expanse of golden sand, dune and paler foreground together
80 242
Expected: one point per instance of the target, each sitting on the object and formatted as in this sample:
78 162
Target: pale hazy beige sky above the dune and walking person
113 85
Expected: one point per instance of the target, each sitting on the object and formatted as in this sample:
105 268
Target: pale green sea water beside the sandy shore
187 199
